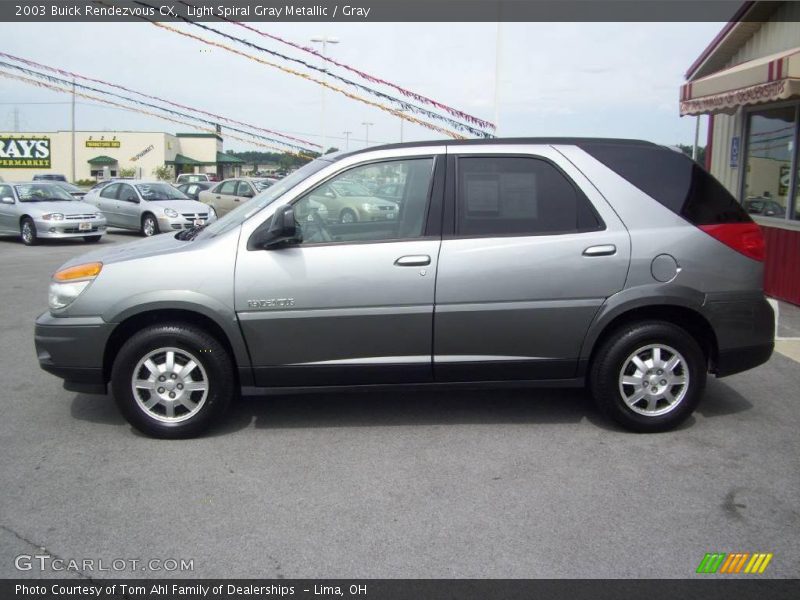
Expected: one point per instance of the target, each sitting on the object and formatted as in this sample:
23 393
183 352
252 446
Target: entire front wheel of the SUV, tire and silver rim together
193 411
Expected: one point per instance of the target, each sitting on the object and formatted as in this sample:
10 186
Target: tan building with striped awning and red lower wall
748 81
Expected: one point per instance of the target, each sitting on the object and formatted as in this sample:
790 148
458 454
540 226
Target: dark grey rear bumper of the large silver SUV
745 332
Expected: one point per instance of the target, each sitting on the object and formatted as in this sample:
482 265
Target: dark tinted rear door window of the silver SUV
509 195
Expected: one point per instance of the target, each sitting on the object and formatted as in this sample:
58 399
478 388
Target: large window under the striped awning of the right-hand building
771 143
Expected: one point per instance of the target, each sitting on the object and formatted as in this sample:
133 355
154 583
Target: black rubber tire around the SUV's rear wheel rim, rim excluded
604 374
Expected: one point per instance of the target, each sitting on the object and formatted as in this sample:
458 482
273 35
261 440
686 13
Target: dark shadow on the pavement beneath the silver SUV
392 409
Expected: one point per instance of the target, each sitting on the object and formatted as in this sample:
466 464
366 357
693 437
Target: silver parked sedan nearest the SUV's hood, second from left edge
150 207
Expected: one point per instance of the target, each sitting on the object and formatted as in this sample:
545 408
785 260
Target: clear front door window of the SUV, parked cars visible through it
343 209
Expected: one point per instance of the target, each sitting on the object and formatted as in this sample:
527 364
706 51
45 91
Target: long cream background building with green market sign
102 154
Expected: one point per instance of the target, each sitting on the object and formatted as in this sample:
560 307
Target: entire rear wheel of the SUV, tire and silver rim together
665 402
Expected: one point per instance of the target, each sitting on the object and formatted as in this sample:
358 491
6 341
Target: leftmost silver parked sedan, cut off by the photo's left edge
36 211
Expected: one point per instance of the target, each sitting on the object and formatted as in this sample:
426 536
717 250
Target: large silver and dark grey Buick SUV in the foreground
616 264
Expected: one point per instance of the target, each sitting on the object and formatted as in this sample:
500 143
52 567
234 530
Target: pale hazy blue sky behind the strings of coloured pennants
582 79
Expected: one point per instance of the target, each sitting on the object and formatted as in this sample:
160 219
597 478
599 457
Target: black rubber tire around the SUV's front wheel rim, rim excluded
205 348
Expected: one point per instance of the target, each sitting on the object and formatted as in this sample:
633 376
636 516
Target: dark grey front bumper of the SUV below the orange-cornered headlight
72 348
